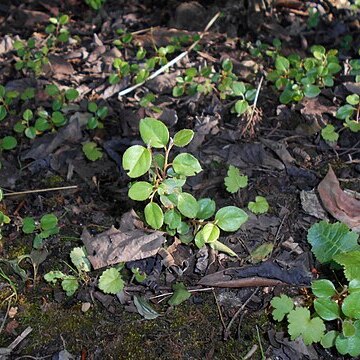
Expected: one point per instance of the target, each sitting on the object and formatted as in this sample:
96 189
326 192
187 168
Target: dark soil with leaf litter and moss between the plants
198 328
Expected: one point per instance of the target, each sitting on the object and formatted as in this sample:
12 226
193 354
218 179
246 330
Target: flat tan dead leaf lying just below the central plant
121 245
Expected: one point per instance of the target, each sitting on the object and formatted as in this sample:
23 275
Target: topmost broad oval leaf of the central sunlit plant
154 132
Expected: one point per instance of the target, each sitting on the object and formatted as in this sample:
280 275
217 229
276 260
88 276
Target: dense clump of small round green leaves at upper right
297 77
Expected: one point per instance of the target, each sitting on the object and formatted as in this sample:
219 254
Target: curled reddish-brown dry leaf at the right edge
339 204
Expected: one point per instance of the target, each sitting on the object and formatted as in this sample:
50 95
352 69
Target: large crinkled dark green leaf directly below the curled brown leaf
328 240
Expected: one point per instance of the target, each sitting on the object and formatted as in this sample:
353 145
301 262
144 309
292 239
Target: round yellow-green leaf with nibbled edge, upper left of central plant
137 160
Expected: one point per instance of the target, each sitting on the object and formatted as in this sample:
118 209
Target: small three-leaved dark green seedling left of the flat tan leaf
47 227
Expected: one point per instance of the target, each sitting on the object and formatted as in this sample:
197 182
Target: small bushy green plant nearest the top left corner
30 58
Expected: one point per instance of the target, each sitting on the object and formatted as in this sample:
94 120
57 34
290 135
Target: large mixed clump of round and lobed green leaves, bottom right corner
335 320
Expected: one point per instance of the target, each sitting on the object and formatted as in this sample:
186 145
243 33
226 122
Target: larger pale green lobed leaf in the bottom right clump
300 324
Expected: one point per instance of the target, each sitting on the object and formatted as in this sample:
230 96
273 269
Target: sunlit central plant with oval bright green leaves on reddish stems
169 207
